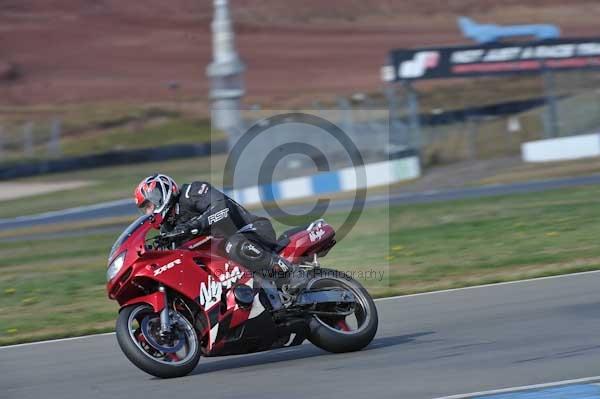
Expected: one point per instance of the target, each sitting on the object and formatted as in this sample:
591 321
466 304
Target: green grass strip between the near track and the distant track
55 287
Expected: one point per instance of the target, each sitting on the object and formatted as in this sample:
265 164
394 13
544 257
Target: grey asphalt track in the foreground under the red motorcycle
428 346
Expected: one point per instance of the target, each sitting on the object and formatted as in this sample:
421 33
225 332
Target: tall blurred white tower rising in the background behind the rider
226 75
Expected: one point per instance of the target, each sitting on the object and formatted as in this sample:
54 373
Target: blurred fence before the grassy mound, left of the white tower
85 131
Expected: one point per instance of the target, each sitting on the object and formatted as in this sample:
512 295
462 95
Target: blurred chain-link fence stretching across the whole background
445 121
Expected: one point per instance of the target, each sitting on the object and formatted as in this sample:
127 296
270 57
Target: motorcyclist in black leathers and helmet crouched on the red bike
199 208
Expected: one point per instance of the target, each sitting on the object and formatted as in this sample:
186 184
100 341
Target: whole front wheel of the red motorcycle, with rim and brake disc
138 335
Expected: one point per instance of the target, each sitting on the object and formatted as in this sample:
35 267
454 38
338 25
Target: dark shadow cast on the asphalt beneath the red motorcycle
295 353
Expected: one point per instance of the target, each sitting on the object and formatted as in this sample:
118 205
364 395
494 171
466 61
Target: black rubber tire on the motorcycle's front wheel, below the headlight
143 359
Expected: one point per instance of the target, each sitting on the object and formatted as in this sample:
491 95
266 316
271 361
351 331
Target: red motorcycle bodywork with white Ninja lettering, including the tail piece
227 328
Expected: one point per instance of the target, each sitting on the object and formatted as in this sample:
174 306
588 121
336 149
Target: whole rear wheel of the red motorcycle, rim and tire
355 327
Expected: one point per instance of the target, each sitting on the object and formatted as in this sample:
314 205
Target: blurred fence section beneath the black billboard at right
490 118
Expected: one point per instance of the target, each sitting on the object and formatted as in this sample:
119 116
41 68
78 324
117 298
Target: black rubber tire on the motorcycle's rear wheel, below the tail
324 335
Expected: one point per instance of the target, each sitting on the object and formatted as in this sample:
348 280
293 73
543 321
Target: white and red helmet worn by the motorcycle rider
158 190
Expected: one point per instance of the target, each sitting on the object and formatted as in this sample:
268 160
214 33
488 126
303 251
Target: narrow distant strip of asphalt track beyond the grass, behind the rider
125 207
